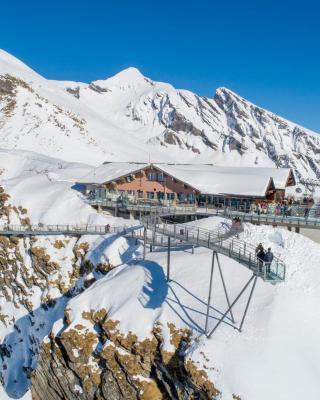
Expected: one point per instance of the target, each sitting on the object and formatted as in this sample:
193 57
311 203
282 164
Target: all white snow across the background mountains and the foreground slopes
277 354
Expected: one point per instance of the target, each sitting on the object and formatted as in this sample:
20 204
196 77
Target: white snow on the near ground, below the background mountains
279 343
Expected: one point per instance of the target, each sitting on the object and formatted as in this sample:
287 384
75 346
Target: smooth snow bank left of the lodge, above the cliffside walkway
46 187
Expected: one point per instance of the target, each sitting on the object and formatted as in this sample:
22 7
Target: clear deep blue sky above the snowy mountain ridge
266 51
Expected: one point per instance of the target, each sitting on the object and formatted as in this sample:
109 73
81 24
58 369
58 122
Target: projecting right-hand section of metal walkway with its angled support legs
221 241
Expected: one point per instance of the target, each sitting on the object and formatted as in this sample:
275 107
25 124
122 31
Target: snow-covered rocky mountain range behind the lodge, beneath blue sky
130 117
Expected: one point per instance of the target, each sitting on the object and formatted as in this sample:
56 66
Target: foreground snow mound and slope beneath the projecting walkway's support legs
276 354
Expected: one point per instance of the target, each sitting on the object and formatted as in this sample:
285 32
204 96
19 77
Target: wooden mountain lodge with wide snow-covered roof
201 184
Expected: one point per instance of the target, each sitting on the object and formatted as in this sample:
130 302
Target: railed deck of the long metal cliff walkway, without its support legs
223 241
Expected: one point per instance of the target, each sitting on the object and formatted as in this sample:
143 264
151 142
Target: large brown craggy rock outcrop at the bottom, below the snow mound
105 364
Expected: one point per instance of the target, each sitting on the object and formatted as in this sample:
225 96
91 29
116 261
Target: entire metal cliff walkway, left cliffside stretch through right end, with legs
153 231
